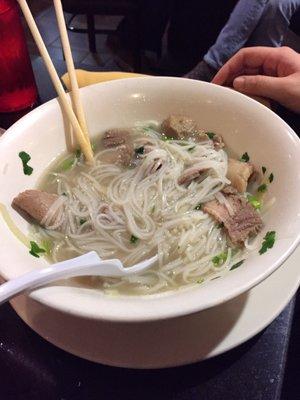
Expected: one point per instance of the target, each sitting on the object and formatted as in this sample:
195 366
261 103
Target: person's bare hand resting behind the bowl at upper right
264 71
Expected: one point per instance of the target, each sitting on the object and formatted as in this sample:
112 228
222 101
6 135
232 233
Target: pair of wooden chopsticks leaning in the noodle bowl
76 117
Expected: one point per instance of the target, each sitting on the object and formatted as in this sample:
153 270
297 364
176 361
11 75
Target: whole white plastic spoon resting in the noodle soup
89 264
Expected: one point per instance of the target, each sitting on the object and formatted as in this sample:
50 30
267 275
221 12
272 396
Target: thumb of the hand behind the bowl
260 85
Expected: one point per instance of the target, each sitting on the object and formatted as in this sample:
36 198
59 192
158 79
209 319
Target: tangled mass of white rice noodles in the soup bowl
134 213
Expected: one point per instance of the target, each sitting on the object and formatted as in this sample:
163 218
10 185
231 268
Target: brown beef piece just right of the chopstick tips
120 140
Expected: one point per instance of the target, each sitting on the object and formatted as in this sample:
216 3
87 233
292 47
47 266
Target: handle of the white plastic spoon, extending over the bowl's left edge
39 277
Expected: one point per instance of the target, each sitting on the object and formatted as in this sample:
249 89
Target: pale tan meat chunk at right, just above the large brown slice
238 173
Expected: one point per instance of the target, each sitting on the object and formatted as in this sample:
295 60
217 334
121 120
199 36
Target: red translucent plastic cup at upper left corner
18 90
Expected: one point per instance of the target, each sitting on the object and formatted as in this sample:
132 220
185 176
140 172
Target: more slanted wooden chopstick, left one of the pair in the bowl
84 144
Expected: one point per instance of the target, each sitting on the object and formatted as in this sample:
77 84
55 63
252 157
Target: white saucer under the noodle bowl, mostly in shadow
171 342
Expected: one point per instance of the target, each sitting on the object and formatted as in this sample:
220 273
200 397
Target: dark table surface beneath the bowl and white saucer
264 368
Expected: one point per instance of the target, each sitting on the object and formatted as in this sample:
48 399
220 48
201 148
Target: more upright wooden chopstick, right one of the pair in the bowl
77 104
